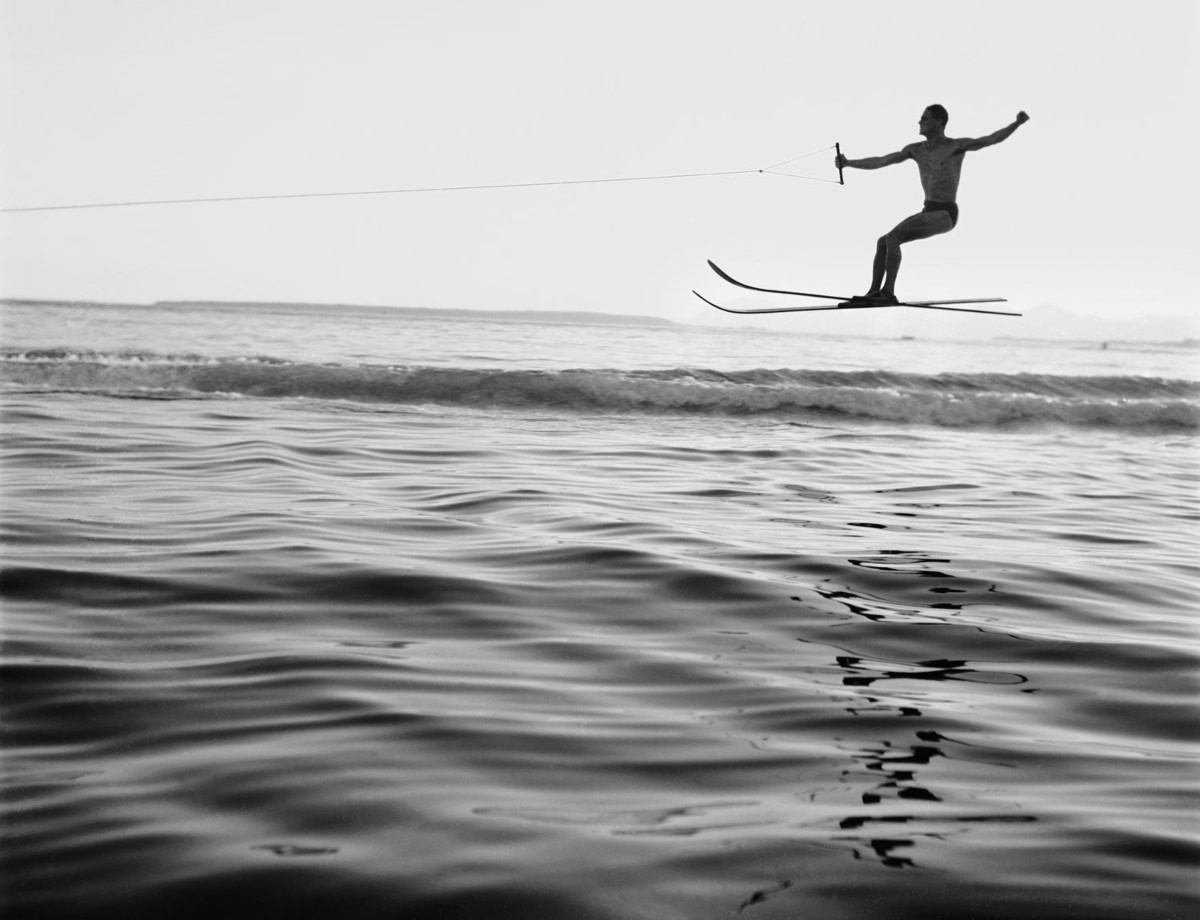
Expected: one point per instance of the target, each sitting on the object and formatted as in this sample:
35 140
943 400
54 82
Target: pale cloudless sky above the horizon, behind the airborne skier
1089 207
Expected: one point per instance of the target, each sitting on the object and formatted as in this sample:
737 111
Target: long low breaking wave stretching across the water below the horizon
950 400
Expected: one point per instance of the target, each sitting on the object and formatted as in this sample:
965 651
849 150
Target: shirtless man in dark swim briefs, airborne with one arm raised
940 161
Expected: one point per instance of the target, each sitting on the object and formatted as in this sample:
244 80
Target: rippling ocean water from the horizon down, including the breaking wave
371 615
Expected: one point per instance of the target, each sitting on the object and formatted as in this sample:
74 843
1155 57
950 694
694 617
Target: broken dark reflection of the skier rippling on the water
913 766
